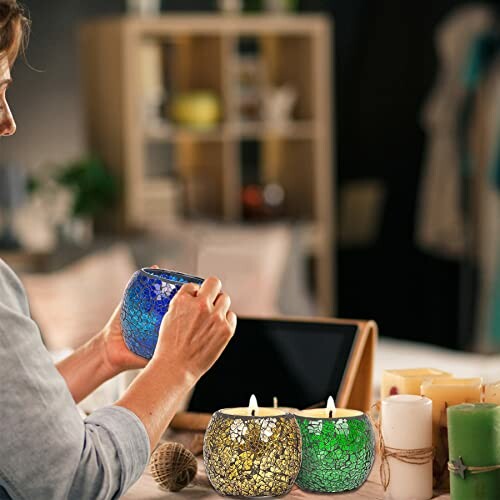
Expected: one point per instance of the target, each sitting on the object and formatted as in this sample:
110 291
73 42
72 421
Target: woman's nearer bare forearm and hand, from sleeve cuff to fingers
193 334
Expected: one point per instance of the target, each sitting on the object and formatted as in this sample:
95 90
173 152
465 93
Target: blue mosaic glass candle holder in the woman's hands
146 300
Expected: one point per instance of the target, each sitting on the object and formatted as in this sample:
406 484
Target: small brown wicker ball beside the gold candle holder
173 467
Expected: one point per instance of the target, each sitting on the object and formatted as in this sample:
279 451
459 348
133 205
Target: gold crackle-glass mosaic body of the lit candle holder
252 456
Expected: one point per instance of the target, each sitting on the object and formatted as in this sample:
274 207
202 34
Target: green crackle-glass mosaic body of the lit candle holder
337 454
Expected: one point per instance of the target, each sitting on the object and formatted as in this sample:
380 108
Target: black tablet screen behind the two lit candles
301 363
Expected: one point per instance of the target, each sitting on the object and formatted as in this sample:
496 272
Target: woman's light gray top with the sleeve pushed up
47 451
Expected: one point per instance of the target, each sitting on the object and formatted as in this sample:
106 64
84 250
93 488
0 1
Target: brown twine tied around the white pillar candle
417 456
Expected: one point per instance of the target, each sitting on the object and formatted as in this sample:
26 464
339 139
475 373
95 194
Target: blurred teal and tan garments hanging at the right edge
478 145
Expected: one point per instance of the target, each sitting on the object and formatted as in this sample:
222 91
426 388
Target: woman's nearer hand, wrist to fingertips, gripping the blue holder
197 328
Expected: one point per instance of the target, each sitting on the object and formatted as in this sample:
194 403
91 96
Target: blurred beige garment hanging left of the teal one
440 222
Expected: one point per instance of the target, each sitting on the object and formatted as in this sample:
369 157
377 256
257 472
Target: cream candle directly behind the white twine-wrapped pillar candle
407 381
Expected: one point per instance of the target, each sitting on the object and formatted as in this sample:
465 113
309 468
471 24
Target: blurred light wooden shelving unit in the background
202 54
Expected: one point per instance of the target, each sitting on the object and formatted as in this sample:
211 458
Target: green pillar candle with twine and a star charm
474 440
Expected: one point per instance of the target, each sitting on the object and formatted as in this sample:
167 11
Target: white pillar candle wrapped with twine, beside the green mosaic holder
407 425
